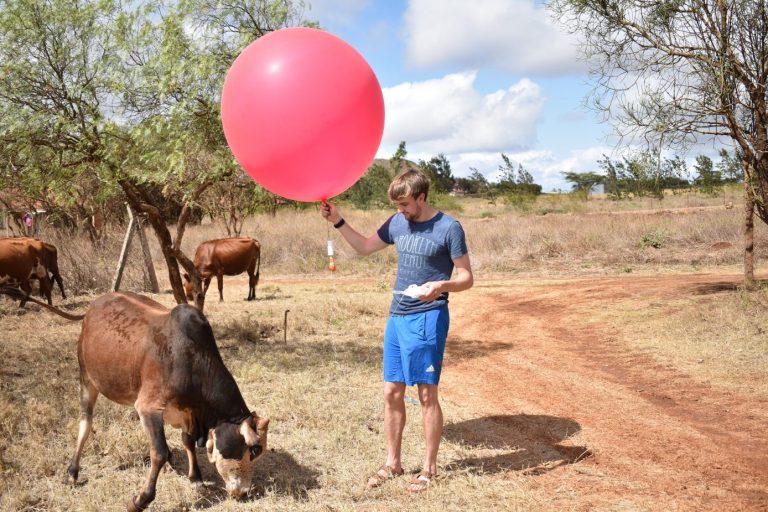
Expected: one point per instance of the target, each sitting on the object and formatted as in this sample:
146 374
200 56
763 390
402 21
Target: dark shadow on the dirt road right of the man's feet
532 443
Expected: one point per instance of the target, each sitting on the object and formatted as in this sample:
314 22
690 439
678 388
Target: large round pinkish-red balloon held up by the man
303 113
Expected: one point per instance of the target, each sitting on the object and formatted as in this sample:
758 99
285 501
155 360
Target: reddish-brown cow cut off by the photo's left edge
22 259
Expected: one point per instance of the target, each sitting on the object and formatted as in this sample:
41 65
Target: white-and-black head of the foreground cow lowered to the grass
234 449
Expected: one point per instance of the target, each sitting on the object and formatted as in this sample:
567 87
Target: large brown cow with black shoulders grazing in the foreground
165 363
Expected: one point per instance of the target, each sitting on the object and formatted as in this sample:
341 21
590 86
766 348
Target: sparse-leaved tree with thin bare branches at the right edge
676 71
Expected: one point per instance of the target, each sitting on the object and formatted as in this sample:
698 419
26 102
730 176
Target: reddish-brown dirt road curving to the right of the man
597 424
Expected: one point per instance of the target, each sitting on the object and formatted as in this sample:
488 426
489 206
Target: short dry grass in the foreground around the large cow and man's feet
321 390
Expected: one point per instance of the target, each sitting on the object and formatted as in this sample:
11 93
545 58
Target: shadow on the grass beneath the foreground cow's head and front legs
277 471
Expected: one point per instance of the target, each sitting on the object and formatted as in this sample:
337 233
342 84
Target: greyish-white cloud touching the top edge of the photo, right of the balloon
513 35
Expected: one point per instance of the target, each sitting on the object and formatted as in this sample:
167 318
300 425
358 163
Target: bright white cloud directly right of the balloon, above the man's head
448 115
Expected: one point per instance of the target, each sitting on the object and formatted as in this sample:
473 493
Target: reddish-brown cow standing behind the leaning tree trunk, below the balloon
226 257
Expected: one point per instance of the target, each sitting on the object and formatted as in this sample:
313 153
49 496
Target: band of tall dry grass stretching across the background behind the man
584 239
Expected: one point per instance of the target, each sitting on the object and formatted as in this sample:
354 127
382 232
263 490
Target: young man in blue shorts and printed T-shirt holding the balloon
430 246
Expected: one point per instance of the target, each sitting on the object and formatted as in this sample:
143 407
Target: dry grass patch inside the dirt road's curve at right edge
718 339
